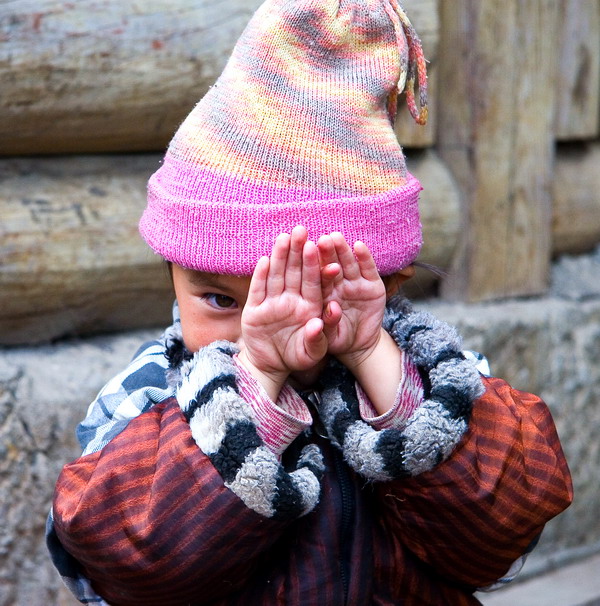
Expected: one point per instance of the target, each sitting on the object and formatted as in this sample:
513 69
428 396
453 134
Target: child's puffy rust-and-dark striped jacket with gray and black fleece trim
177 499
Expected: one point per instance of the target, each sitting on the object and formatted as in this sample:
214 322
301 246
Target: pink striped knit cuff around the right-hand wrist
408 398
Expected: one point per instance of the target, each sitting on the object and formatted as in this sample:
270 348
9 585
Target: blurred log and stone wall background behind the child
91 92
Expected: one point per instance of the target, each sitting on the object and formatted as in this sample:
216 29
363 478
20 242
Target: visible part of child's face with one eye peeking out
210 306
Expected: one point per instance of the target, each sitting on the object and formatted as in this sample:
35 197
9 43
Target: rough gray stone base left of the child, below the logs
44 393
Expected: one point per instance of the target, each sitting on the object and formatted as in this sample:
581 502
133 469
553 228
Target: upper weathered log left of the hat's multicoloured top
107 75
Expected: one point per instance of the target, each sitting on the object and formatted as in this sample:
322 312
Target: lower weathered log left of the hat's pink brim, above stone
71 260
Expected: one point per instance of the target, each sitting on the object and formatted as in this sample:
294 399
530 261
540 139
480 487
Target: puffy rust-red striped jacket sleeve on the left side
157 524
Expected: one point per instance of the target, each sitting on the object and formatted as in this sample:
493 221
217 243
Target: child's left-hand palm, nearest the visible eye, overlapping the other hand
282 329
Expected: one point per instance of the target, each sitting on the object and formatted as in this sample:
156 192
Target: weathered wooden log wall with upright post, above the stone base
508 80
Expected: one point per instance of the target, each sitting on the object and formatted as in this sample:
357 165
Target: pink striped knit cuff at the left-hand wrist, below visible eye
278 423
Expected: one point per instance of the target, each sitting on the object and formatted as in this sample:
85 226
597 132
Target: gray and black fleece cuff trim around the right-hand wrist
451 385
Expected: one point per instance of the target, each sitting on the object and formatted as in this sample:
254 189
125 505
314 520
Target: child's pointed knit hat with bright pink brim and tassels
296 131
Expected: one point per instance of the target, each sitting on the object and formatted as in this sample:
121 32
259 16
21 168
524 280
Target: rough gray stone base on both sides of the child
550 346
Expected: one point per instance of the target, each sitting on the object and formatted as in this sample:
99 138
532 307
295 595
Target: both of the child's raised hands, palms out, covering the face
306 301
